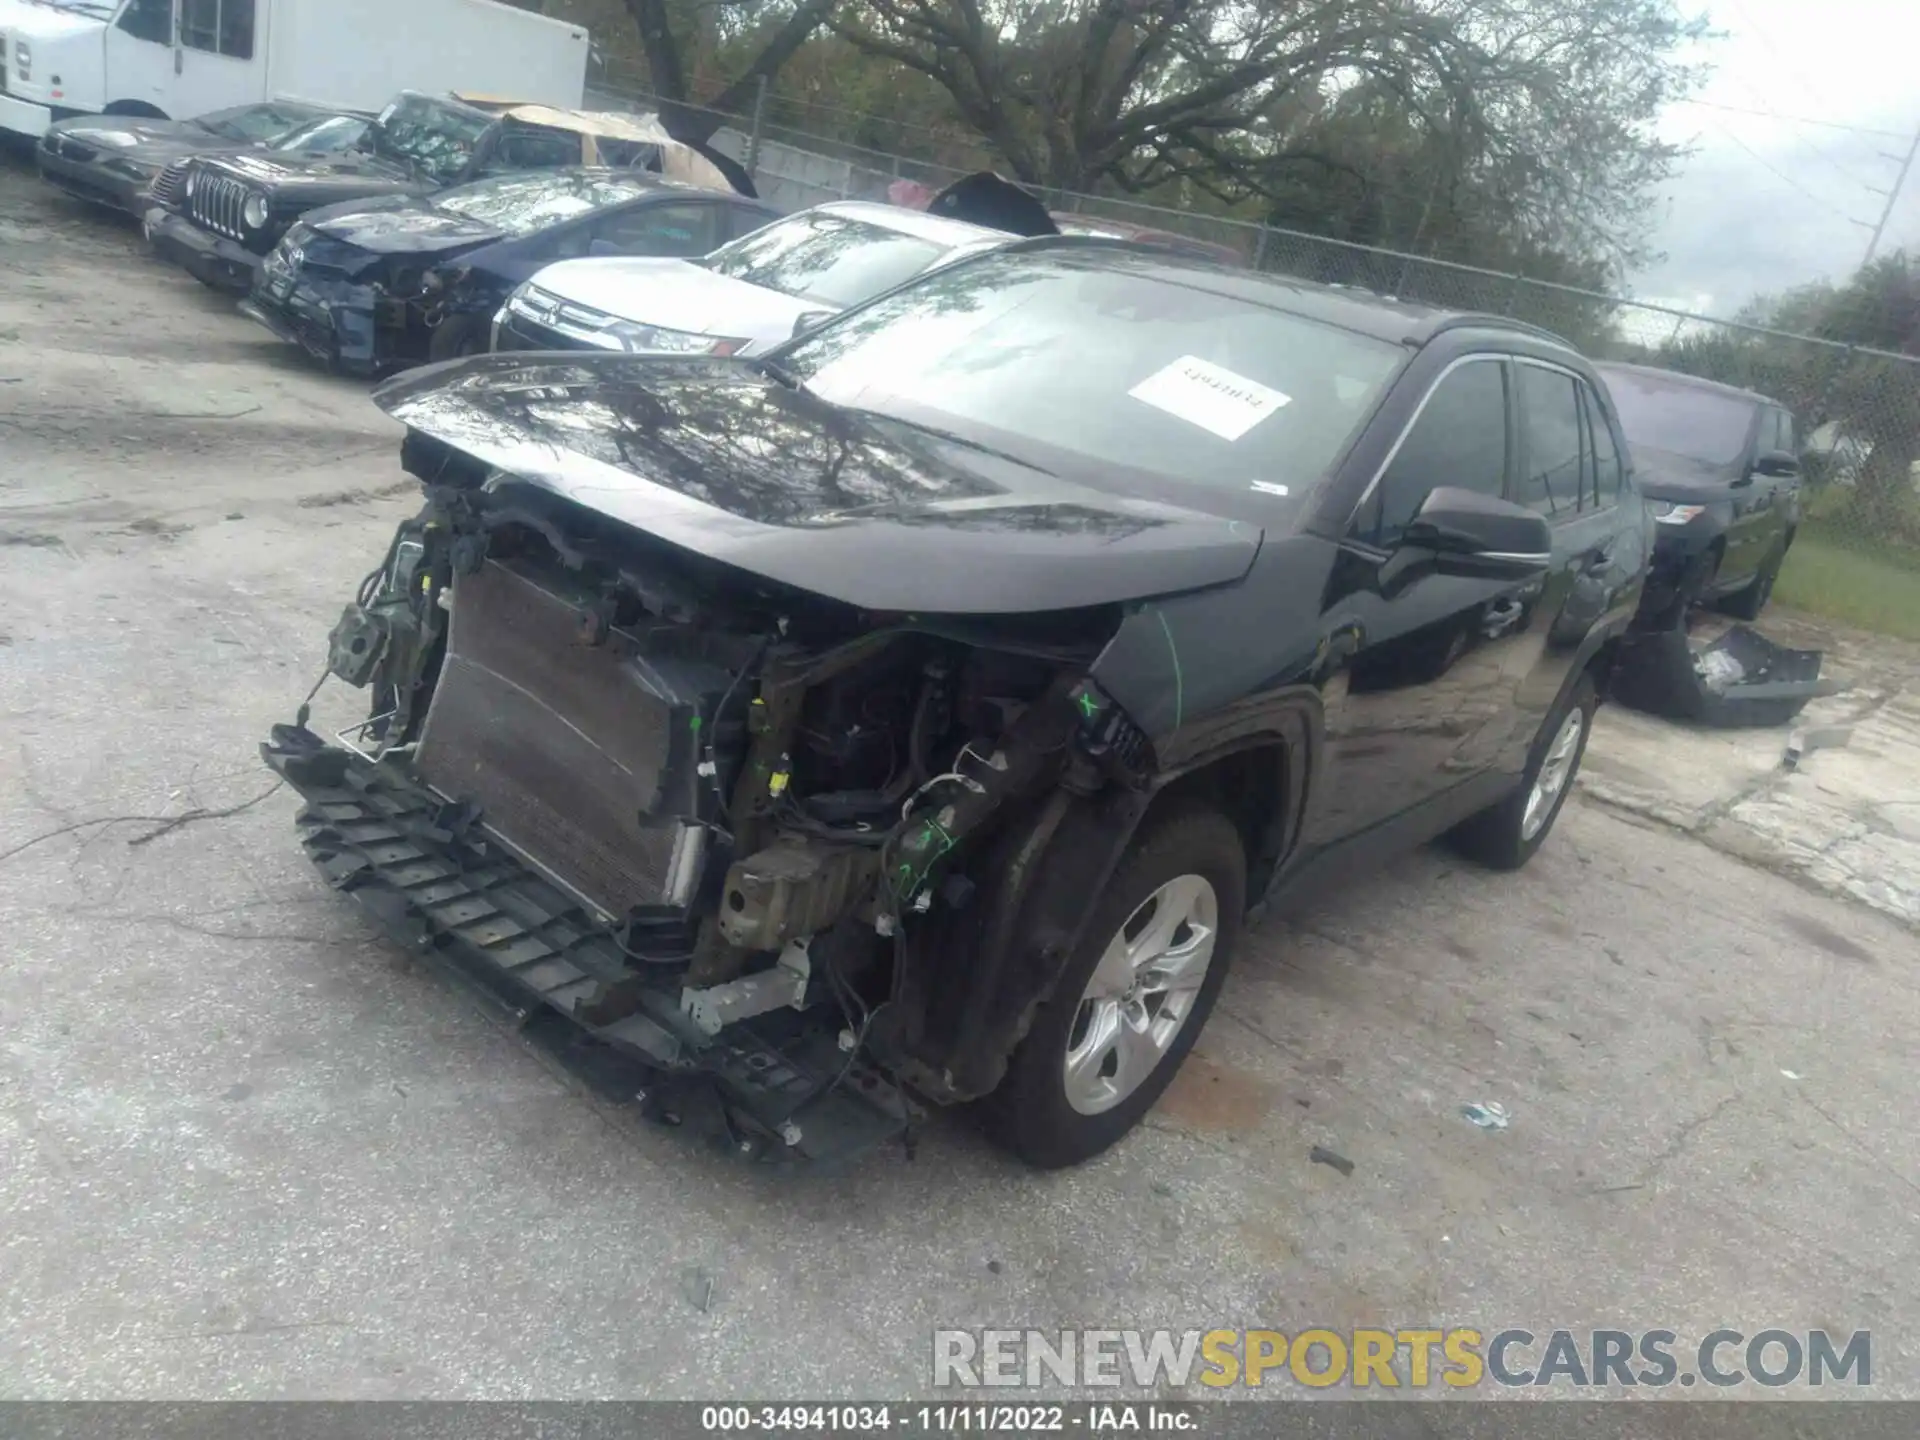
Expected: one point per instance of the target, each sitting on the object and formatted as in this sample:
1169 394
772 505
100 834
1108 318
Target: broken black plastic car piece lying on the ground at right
1742 679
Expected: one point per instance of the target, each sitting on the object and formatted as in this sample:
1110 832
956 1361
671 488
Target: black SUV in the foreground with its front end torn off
915 713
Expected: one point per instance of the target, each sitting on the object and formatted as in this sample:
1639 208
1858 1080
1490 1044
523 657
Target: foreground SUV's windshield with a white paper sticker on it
1116 362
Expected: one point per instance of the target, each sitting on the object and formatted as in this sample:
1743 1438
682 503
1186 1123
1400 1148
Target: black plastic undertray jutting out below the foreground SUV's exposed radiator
443 886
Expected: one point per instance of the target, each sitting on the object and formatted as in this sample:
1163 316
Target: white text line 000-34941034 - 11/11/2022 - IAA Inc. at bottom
1088 1420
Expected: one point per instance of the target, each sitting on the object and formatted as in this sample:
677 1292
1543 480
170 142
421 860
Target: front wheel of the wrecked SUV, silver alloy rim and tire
1193 859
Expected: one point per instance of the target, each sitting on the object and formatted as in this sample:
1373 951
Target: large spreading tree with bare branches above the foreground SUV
1376 120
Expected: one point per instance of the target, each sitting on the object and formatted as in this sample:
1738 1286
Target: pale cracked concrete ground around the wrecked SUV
254 1151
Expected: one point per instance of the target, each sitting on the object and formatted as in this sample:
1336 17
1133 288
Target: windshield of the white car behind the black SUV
825 258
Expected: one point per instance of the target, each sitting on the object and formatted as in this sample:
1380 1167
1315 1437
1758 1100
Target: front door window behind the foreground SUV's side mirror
1458 441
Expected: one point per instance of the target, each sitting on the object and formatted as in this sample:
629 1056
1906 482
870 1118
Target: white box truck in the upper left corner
181 59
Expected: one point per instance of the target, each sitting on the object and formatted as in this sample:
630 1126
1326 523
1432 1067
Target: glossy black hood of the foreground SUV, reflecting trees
719 460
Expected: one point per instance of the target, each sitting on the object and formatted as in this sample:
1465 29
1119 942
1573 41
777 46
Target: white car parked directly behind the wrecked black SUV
744 299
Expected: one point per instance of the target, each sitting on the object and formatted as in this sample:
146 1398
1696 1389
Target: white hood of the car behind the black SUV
677 295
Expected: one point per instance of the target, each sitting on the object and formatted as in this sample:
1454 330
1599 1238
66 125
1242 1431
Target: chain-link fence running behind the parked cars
1858 552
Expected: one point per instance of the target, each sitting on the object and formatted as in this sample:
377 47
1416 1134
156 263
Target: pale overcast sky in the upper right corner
1765 204
